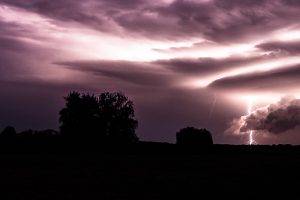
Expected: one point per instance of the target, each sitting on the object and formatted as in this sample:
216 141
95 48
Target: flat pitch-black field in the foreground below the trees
152 172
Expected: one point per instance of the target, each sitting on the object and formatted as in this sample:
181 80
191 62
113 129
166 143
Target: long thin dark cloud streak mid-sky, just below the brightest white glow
161 72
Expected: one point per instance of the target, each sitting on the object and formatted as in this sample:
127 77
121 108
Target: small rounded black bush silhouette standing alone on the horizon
194 136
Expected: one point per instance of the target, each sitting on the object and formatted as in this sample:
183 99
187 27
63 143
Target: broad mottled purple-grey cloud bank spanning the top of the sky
221 21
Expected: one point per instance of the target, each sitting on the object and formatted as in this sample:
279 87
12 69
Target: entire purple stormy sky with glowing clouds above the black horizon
231 66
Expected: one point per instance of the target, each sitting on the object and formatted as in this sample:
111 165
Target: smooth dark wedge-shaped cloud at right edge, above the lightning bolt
283 78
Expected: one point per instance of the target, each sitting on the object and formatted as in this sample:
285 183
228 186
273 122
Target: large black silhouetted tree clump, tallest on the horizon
108 117
